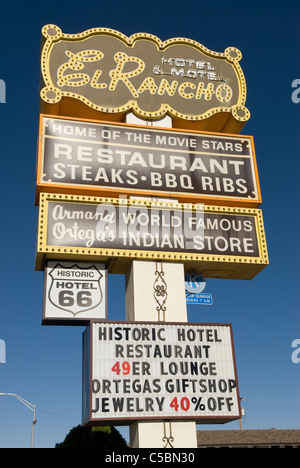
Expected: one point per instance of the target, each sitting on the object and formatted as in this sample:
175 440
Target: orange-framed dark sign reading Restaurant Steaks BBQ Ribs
100 157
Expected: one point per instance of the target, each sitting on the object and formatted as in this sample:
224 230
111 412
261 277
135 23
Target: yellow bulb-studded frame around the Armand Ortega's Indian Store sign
228 266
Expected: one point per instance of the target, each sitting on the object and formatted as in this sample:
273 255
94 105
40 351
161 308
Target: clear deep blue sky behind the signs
43 364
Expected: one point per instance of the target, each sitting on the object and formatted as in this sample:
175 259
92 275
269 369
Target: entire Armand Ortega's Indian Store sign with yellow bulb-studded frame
224 242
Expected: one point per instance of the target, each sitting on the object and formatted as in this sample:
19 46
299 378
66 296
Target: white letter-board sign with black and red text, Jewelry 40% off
134 371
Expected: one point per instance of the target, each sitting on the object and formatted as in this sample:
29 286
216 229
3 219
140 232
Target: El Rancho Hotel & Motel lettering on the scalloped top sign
68 76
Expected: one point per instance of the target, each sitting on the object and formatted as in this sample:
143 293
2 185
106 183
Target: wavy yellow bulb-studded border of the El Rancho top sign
52 95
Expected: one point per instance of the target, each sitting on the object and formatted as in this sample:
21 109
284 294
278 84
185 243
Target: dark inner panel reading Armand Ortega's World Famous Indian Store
155 229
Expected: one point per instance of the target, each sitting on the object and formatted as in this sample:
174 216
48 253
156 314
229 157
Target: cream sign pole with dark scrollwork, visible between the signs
155 292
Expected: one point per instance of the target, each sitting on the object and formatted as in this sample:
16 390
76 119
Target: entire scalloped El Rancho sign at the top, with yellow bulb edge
104 71
